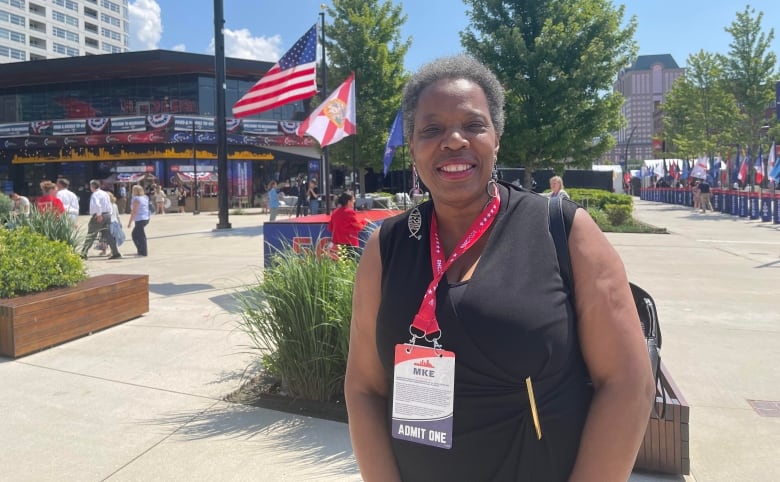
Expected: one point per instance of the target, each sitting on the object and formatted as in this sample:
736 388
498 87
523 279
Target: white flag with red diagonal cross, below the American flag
334 119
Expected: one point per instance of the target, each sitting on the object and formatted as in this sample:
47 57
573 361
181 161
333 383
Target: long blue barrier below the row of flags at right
764 206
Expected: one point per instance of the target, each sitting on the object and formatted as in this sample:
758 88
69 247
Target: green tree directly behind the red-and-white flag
365 38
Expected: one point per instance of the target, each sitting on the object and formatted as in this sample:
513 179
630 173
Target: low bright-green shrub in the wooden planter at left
30 262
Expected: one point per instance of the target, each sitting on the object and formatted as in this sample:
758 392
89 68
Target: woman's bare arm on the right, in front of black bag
615 353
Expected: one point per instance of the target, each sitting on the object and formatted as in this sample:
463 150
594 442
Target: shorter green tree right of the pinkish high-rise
701 114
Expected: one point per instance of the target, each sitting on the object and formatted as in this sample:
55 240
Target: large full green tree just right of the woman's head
557 60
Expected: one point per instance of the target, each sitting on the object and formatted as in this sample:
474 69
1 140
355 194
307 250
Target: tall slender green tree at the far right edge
750 68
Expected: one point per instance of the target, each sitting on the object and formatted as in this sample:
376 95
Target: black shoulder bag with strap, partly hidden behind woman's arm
645 305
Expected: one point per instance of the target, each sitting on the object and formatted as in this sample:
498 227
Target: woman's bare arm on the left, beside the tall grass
365 385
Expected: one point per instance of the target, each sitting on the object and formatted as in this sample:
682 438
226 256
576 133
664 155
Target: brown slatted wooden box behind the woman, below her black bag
665 447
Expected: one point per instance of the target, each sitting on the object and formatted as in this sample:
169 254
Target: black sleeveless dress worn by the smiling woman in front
511 320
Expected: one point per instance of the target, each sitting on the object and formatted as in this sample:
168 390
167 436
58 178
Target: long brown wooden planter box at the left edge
38 321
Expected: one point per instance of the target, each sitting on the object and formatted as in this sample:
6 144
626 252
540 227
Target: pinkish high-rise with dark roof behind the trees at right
644 85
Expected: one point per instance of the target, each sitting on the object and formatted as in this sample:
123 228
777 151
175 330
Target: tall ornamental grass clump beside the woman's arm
298 318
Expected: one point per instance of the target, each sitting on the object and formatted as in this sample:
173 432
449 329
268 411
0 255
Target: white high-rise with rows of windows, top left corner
47 29
